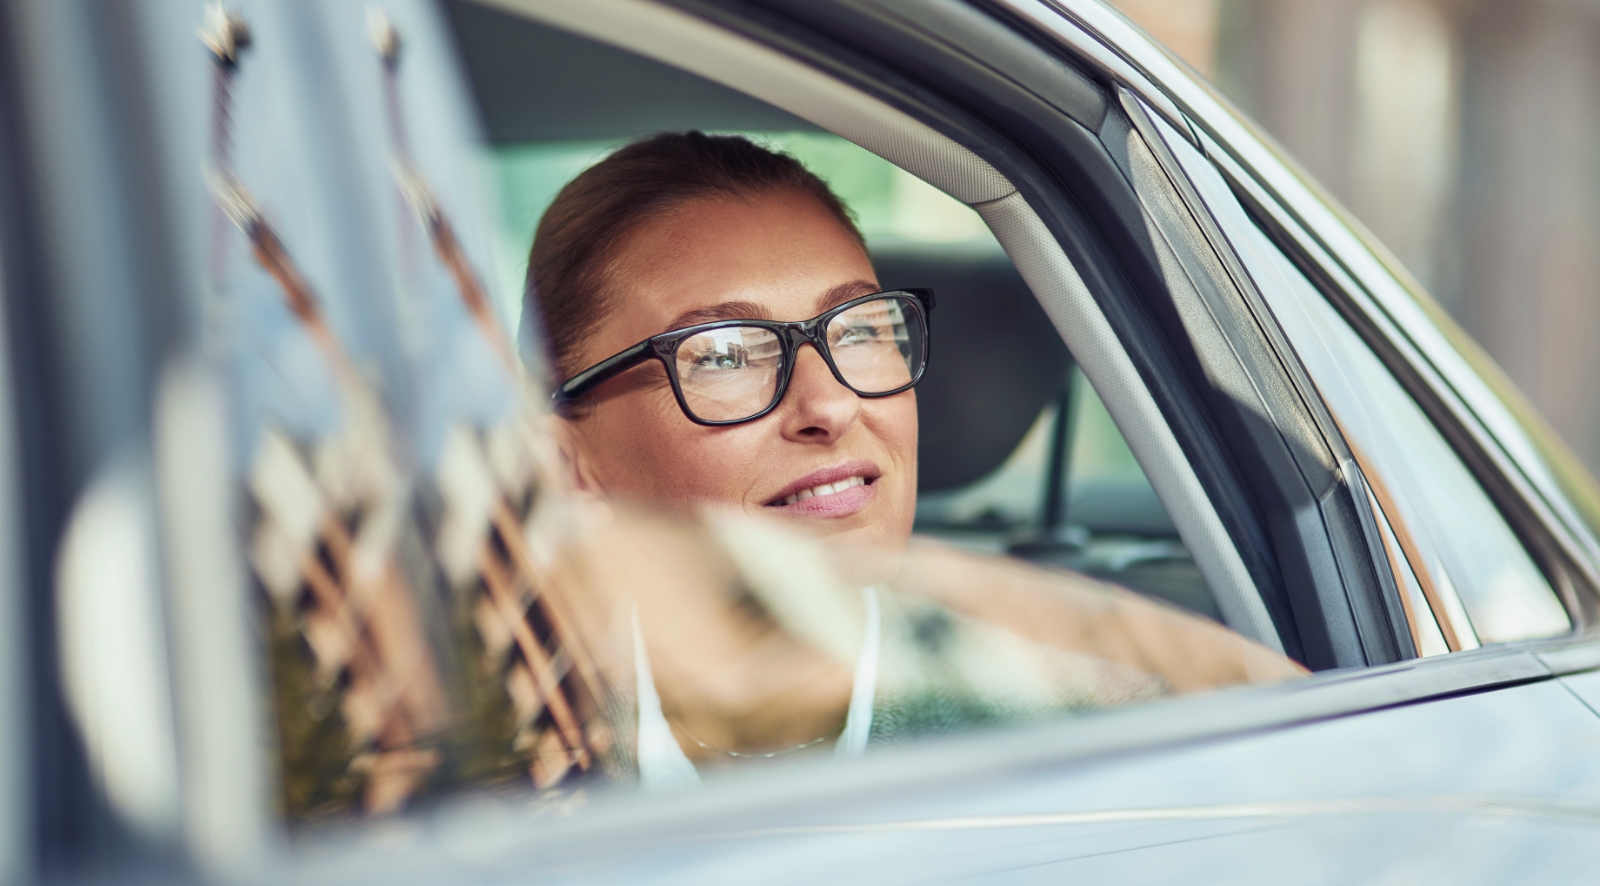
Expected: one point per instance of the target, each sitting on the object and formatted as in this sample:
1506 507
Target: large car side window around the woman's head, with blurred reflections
436 610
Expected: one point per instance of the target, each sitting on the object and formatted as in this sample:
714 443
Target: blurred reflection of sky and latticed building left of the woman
399 577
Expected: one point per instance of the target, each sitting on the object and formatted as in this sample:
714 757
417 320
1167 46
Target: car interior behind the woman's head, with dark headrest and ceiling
1018 453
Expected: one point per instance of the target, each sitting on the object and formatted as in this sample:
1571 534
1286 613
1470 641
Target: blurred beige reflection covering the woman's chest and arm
743 644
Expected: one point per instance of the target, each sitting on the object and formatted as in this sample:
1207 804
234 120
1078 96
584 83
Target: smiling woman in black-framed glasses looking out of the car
722 340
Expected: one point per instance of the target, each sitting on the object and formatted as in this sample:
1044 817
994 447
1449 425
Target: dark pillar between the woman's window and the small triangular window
1265 449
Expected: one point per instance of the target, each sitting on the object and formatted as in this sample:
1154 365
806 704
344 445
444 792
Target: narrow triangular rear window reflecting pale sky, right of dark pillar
1479 580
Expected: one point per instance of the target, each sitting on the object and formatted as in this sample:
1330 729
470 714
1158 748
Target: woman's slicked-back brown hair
569 266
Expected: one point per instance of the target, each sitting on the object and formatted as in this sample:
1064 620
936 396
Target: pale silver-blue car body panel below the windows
1471 789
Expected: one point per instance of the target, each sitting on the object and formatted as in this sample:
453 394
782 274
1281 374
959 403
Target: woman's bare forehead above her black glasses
782 252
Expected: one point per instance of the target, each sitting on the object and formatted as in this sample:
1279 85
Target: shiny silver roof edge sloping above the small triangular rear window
1388 308
